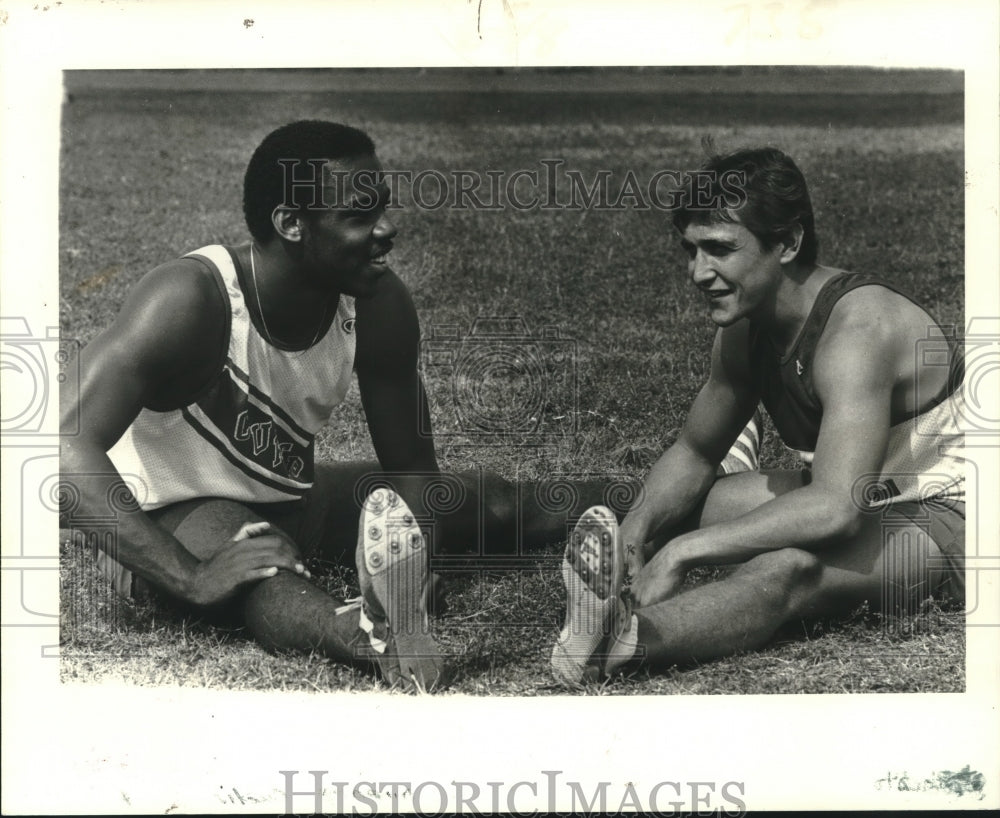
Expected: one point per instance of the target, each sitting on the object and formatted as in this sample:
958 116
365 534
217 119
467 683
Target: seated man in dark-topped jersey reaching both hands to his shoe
878 513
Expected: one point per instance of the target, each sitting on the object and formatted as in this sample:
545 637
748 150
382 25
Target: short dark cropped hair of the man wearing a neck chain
298 142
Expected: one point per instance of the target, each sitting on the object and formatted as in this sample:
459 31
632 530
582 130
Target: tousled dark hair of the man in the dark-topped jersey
774 198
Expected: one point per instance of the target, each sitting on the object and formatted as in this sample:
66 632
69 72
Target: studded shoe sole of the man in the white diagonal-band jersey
393 553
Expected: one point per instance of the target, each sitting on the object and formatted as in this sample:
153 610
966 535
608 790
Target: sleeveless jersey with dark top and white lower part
924 457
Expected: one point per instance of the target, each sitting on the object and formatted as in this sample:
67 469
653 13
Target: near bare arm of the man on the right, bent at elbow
855 369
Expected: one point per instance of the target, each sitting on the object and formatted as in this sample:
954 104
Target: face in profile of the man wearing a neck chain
344 244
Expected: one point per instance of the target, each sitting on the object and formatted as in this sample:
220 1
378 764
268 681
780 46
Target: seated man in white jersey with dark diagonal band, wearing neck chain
207 392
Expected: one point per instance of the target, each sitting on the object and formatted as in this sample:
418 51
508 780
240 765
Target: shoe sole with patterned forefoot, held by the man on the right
593 571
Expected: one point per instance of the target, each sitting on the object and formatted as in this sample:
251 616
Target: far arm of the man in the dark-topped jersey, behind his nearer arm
685 472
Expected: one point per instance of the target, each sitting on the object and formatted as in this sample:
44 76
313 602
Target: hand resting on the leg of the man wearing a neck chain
251 555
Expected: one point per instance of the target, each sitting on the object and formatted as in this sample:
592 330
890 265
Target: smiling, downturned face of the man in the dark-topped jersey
736 274
